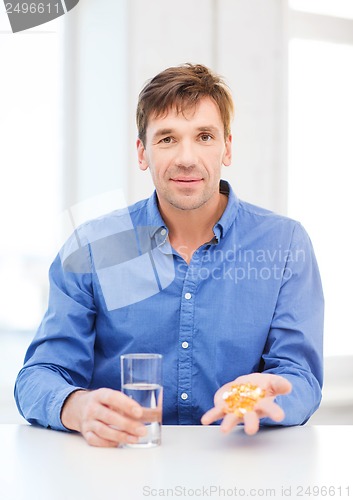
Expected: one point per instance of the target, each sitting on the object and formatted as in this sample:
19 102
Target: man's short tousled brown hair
181 88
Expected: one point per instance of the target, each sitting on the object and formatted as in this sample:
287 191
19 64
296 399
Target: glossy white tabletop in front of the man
193 462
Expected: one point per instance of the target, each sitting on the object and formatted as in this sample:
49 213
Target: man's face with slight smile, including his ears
185 153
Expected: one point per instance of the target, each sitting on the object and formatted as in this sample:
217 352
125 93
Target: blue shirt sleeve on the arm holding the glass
60 358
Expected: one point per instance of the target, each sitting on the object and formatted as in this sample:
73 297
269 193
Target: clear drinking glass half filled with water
141 380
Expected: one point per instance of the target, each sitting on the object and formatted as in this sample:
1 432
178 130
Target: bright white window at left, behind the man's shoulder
30 188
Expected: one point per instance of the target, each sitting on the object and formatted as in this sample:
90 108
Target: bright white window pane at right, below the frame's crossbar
320 170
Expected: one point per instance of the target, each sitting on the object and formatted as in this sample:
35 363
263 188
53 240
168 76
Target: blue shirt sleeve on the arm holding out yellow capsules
295 341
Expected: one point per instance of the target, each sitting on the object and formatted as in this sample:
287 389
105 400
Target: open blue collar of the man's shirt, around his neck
155 221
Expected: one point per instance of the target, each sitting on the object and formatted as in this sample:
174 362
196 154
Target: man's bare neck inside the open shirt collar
189 229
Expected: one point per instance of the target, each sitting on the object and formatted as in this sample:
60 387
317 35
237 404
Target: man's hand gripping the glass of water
104 417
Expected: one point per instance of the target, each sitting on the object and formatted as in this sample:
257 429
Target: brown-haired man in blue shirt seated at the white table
229 293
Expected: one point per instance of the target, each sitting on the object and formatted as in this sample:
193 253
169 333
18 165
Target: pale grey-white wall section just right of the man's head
251 53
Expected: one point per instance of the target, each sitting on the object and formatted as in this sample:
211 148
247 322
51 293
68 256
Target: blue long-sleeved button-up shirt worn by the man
249 301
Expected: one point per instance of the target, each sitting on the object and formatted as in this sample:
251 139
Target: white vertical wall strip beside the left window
95 113
